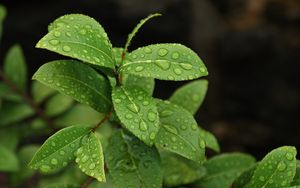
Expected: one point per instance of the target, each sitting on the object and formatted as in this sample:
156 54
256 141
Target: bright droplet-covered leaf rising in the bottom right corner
276 169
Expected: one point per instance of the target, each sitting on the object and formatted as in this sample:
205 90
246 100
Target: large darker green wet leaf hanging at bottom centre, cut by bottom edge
131 163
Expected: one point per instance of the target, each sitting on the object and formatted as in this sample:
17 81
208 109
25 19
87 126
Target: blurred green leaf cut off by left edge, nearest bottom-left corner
8 160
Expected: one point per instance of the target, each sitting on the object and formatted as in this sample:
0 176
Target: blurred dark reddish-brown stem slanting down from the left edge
27 99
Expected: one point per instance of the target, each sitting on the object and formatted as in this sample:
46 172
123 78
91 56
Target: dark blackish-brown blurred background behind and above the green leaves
251 49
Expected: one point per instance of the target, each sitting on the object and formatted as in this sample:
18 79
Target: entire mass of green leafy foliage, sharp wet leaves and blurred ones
126 137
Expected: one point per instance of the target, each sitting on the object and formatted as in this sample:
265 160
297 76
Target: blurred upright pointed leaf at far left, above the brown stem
15 67
